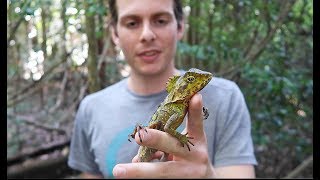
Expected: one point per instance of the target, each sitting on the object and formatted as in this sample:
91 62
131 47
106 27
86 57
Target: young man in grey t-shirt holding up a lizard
147 31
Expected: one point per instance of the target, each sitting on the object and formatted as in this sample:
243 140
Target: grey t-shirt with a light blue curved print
106 118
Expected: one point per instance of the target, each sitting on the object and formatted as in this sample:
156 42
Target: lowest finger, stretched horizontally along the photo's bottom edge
172 169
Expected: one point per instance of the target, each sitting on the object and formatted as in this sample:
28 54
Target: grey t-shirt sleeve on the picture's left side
81 156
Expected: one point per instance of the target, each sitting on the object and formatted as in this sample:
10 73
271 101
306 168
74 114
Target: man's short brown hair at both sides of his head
177 9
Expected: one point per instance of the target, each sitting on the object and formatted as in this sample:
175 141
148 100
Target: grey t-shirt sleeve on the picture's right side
235 146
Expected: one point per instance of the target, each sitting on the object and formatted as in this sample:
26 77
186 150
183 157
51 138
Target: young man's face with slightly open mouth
147 32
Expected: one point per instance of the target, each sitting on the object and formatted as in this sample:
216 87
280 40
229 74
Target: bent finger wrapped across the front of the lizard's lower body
163 142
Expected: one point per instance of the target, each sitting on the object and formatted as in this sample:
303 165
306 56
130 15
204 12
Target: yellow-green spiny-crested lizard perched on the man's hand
171 112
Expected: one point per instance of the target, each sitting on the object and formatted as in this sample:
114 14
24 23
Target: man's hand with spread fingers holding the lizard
182 162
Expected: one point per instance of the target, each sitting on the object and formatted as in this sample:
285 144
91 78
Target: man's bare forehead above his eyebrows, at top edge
143 7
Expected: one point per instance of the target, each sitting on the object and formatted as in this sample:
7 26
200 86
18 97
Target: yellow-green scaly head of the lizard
192 82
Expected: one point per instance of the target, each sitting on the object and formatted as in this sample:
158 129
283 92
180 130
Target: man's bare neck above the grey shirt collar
150 84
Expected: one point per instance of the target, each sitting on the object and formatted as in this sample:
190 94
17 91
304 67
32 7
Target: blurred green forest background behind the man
58 51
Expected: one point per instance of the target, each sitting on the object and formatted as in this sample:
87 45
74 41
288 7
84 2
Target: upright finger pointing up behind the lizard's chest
195 118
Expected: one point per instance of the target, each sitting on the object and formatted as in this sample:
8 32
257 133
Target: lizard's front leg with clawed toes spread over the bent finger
173 122
